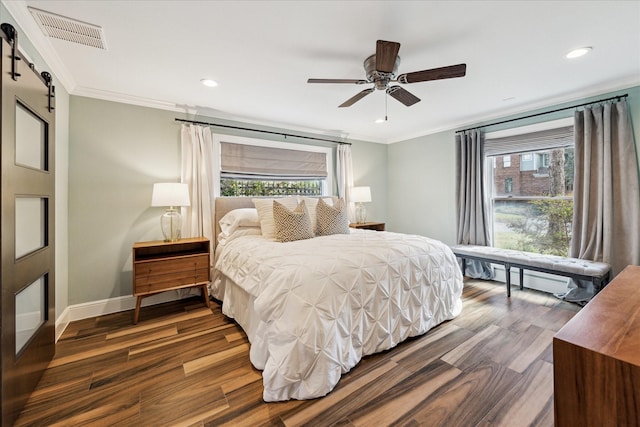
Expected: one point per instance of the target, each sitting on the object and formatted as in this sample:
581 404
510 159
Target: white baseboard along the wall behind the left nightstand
115 305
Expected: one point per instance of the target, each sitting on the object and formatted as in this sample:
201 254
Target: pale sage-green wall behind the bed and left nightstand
117 151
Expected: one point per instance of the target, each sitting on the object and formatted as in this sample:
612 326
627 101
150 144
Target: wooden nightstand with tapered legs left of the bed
160 266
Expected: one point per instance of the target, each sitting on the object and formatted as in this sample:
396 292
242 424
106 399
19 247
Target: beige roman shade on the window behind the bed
241 160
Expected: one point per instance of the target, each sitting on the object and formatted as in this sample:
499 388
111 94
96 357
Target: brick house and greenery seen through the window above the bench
532 200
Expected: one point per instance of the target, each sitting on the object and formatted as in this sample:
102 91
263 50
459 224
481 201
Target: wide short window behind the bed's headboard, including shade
251 167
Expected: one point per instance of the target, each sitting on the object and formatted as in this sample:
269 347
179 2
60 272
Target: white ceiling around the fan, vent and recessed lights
262 52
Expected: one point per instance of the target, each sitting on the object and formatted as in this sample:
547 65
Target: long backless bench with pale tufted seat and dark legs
596 272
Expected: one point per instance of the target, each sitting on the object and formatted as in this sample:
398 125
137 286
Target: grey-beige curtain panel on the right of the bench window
606 218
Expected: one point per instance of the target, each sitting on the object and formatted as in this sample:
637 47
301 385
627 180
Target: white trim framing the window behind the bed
218 138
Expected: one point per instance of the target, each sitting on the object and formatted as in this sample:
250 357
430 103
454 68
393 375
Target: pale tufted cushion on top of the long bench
551 262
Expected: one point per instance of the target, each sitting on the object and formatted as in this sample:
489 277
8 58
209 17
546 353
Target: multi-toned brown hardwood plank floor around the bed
186 365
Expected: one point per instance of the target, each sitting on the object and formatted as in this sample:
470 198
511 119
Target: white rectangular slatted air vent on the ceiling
72 30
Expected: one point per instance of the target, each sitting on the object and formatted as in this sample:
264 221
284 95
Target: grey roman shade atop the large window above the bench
533 141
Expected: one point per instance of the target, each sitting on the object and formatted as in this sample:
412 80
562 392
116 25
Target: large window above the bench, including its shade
532 203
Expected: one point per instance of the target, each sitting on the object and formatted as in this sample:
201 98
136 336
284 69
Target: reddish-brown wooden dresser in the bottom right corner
596 359
